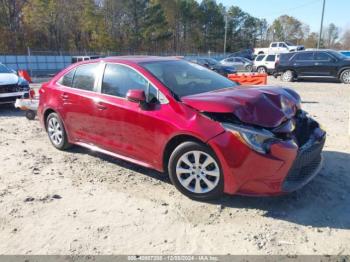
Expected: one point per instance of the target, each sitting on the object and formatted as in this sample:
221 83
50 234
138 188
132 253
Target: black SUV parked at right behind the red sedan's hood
314 64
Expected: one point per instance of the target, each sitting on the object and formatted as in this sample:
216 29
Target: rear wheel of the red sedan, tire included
57 133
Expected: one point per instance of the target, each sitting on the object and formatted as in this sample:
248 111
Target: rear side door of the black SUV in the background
303 63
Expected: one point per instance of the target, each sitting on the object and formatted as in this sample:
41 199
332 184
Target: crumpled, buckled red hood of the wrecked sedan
264 106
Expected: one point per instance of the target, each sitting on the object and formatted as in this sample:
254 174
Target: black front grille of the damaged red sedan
306 165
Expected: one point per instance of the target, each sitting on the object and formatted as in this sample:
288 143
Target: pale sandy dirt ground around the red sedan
79 202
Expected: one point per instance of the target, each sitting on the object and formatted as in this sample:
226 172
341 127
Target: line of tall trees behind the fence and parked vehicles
146 26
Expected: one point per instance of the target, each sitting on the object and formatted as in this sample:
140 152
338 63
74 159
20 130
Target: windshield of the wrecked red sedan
184 78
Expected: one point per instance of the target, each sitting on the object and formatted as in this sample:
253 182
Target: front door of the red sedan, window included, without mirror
125 127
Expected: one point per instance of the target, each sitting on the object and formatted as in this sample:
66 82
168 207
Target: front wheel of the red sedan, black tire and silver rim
196 172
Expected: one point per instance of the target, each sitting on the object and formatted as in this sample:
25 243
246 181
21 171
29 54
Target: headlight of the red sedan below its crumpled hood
257 139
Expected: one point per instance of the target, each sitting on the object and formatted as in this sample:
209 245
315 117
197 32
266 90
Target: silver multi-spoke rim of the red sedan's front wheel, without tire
198 172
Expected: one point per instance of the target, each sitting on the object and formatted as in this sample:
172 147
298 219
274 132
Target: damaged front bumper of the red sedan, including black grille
291 162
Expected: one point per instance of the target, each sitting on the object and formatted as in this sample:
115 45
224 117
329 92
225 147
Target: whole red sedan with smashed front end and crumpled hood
209 134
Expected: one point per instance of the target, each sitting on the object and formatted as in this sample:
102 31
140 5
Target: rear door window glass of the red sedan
85 77
